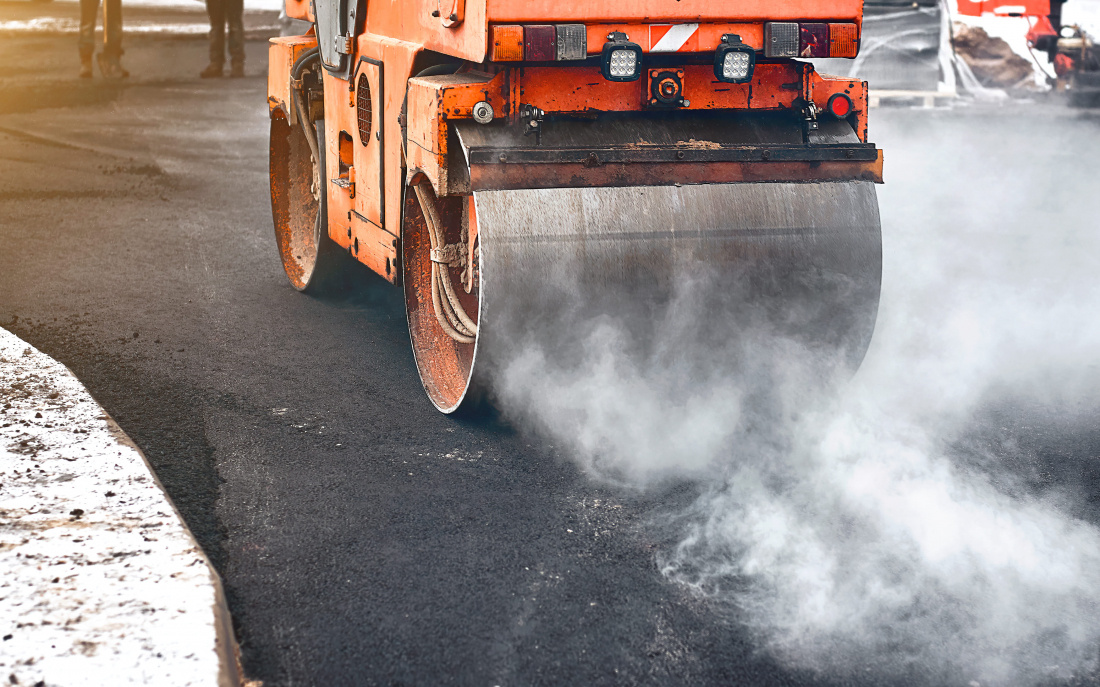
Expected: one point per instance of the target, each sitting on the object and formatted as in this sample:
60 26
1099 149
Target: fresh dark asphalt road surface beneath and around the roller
364 537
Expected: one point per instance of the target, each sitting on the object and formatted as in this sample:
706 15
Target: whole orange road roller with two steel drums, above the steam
520 160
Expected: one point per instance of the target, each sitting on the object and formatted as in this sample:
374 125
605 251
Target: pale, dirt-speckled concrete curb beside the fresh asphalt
102 583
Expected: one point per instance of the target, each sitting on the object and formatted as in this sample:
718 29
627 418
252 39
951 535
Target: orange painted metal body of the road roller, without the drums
384 127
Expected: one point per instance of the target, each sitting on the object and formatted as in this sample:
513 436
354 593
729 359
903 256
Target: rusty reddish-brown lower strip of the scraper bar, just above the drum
485 178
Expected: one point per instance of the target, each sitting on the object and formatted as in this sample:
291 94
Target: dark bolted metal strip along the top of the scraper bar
859 152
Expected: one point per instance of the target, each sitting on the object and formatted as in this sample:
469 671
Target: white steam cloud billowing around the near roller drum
859 526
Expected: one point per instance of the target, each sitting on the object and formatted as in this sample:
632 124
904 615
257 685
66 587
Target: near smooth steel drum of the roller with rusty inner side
798 261
